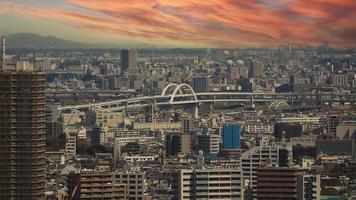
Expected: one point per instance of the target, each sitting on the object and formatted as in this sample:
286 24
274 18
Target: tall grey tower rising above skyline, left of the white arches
129 60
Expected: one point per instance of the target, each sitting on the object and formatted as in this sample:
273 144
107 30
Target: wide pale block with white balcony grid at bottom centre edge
209 183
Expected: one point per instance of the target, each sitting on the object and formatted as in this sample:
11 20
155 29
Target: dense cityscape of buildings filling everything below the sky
267 123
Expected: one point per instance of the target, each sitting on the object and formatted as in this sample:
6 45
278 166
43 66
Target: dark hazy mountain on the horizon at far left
29 40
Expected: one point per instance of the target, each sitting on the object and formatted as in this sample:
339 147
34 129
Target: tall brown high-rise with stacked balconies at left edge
22 135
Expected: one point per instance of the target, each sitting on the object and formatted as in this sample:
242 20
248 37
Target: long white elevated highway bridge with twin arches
181 94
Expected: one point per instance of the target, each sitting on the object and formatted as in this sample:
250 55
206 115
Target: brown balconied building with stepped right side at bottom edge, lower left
101 185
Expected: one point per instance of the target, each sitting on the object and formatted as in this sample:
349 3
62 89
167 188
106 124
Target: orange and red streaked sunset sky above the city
186 23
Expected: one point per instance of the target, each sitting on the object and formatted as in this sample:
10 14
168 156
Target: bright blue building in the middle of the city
231 136
